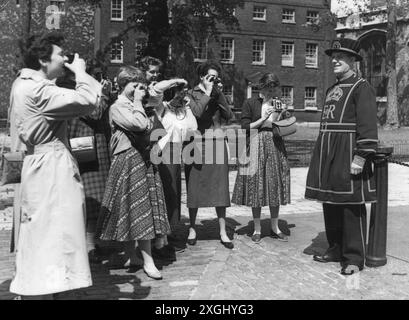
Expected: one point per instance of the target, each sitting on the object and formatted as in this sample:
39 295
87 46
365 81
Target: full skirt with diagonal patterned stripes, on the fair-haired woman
133 207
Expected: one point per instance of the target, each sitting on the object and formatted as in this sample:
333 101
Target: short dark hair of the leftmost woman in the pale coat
39 47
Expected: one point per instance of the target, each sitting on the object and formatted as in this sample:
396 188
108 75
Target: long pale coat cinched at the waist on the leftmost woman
51 253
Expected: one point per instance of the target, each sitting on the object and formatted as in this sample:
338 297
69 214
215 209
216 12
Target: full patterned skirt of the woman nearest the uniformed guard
266 179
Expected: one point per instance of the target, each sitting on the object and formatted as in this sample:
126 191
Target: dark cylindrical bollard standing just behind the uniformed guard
376 252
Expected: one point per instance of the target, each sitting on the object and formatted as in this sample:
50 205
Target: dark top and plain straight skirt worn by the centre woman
207 177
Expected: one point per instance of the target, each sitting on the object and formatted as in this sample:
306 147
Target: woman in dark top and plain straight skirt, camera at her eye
208 183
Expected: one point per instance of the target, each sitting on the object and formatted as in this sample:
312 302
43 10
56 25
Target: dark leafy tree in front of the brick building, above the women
173 24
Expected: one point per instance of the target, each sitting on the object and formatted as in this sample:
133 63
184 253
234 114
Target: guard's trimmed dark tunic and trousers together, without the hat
348 133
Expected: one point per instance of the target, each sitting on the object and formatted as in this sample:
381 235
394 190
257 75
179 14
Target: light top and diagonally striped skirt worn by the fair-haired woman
133 206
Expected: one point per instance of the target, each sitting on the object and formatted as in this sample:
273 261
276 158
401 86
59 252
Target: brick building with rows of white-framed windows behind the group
275 35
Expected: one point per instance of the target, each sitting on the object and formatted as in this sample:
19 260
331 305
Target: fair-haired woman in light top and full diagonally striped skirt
133 207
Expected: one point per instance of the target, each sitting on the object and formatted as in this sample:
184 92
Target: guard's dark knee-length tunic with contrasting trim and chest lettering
348 132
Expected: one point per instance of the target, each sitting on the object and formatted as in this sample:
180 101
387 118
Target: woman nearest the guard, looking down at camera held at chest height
267 181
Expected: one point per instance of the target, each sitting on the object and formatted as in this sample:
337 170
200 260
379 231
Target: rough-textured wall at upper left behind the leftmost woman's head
74 19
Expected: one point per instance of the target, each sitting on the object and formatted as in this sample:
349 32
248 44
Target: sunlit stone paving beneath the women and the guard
269 270
